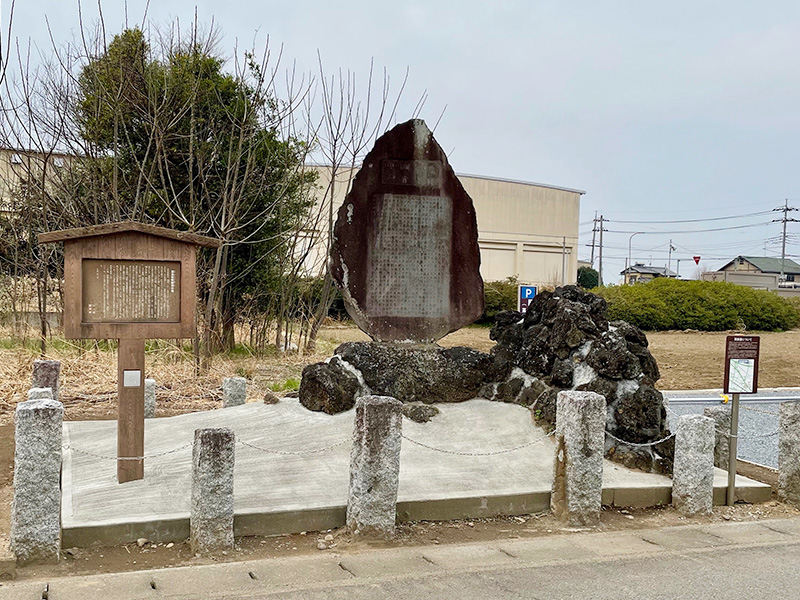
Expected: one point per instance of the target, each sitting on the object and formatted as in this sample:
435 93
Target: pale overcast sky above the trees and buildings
660 111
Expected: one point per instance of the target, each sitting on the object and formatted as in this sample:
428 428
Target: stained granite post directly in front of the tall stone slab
375 467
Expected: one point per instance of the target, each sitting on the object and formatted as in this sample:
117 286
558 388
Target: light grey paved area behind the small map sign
758 418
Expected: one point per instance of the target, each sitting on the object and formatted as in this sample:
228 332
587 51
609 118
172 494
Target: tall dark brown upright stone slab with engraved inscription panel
405 250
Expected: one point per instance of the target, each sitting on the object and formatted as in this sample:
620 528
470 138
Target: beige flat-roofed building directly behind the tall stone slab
525 230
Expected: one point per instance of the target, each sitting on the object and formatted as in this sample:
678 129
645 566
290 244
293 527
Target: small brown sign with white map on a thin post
741 377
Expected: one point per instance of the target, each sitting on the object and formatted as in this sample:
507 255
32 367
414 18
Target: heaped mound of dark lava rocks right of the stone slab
565 341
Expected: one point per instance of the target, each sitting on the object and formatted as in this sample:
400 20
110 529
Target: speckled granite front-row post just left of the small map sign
693 470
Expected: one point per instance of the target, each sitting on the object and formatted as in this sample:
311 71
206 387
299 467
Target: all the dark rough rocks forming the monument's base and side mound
563 342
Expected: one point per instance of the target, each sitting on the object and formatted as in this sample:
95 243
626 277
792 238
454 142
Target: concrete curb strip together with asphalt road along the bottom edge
724 560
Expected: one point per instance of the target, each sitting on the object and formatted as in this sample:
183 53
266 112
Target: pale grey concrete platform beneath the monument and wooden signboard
305 490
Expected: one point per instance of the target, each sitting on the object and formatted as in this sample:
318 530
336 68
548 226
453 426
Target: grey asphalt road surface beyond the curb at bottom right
738 574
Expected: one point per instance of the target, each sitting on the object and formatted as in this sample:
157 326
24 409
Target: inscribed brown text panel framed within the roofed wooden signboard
131 291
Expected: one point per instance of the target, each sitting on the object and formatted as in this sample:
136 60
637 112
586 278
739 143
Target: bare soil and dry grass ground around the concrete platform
687 360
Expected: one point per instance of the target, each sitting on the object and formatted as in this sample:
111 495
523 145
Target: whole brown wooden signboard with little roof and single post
131 282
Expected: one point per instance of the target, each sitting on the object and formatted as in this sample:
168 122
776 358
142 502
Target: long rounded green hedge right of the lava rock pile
703 305
